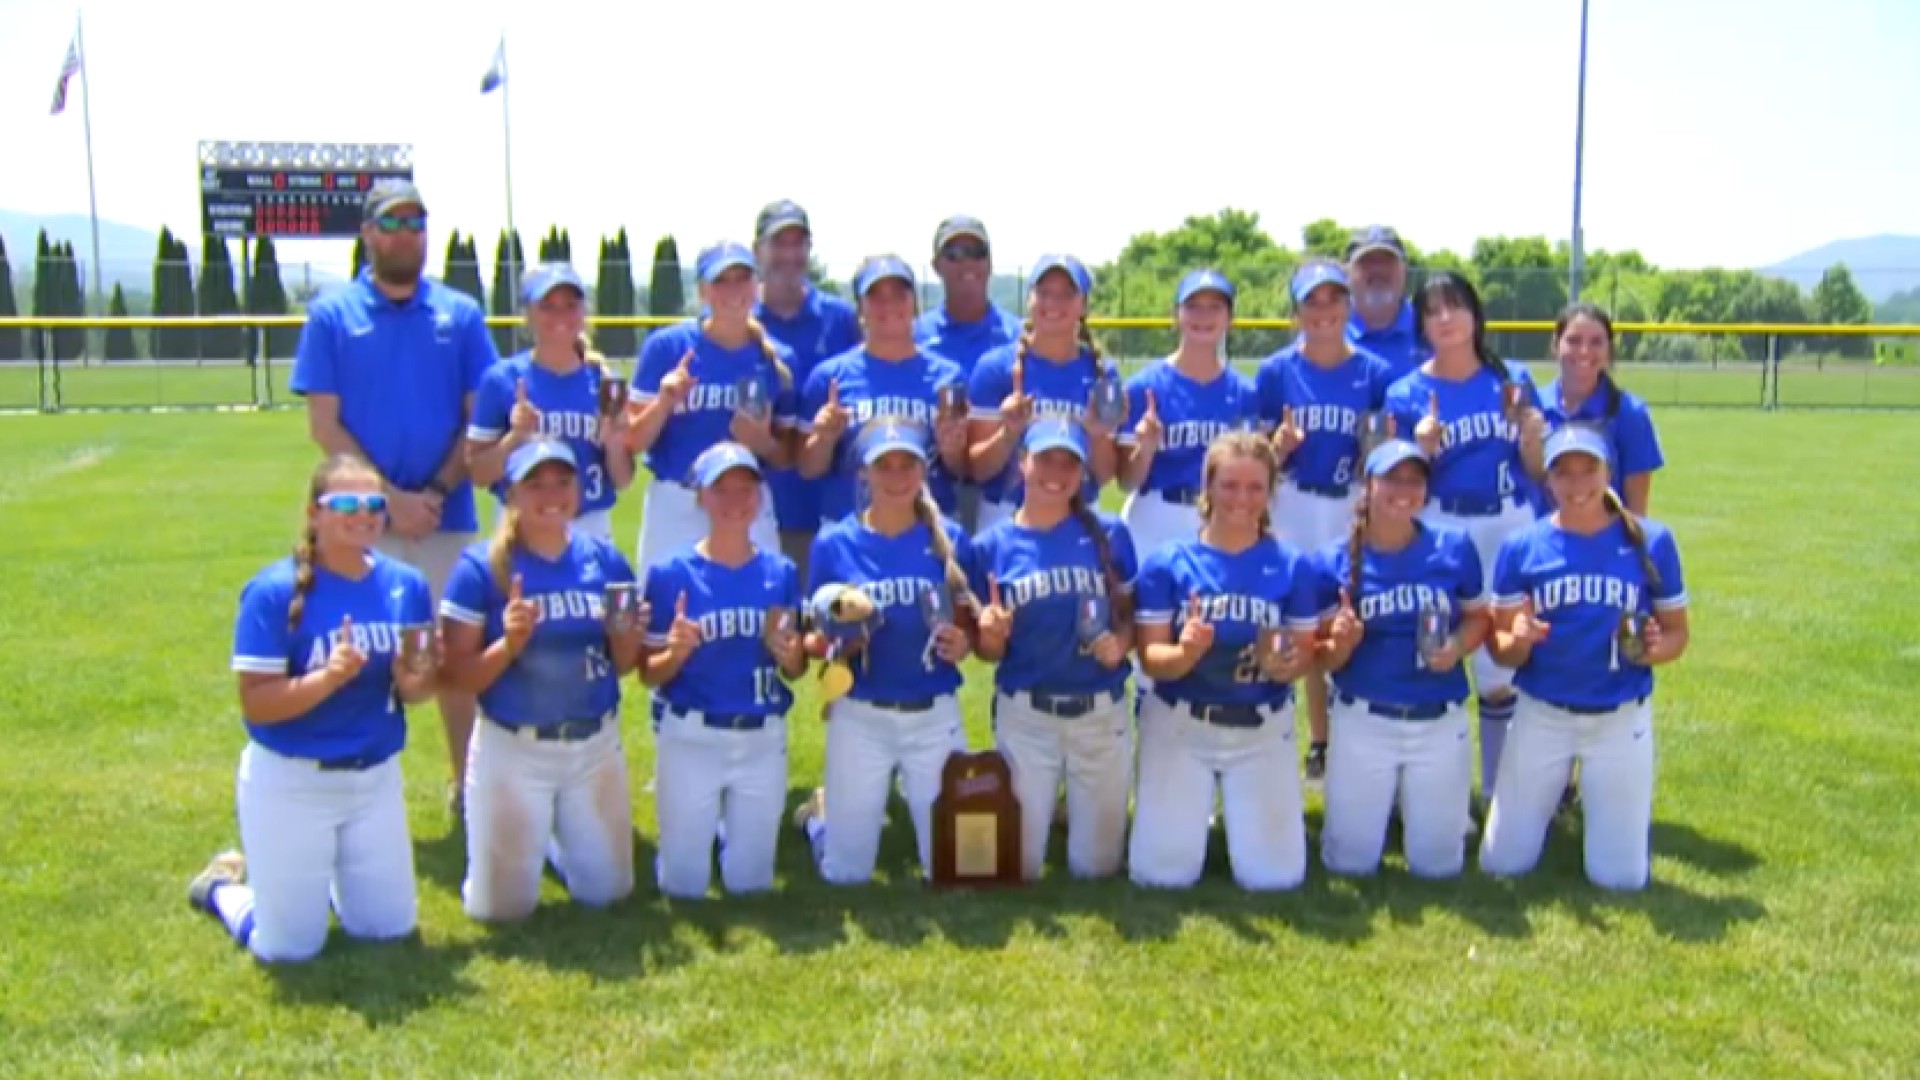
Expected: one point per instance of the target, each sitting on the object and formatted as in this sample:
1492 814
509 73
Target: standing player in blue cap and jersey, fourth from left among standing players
1049 372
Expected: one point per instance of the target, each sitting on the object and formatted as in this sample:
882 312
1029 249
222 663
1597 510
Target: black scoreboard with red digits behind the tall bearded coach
293 189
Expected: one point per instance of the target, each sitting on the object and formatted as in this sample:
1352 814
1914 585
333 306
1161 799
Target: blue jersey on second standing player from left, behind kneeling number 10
708 416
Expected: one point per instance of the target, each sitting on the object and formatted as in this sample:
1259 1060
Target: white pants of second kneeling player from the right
1376 762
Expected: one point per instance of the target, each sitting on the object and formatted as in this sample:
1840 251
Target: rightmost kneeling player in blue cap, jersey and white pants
1587 604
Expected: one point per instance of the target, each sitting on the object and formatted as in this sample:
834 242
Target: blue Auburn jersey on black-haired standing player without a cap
1479 453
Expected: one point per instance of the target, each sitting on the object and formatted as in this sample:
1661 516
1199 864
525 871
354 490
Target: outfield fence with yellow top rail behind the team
1704 364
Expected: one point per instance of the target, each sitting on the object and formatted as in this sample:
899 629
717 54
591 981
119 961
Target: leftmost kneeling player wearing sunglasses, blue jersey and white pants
324 820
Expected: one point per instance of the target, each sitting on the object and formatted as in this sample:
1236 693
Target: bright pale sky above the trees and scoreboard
1719 134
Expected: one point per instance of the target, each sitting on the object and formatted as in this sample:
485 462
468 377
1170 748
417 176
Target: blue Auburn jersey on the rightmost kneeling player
1581 587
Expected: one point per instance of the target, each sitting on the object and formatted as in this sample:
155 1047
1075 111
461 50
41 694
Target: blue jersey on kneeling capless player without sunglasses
1268 585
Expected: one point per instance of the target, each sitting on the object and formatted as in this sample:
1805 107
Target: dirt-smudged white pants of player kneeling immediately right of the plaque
1093 754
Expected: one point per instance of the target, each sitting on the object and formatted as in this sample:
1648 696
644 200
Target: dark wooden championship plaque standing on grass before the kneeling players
976 823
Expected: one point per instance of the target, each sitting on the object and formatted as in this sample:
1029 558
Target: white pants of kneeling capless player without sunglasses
1259 773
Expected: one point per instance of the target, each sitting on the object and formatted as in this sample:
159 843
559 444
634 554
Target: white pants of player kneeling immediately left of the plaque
865 749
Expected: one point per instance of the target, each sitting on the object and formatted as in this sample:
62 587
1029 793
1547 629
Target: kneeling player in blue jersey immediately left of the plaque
901 714
